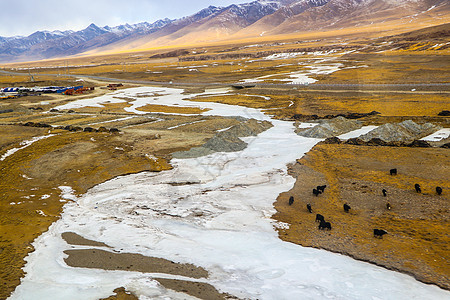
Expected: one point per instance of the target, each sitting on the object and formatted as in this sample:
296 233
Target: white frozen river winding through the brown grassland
220 221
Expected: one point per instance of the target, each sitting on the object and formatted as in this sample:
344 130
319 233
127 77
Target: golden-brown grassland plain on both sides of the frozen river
30 178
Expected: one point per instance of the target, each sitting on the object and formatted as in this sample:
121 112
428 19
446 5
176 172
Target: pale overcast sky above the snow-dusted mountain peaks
23 17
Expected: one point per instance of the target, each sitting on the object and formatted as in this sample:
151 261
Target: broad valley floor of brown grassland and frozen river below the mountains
93 211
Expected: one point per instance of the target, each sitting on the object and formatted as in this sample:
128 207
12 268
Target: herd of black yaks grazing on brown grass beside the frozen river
324 225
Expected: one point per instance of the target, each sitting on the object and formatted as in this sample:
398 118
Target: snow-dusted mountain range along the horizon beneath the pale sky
261 18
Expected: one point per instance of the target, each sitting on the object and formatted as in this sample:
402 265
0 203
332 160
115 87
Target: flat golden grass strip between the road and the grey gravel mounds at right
285 103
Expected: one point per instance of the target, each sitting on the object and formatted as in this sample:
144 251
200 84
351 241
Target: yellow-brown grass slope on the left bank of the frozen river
29 174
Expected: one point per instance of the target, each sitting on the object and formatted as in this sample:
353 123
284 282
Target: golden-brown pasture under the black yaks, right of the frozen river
418 224
